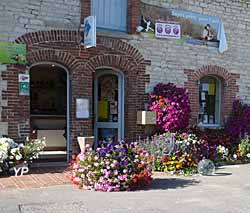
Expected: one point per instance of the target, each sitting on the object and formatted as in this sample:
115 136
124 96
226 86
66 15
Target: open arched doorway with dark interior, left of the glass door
49 109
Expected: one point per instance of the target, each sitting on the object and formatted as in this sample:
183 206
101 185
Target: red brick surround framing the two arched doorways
63 47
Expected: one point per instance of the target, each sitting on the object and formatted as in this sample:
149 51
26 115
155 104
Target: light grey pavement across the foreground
227 192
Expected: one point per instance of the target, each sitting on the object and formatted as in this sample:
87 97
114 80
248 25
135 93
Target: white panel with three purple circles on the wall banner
167 30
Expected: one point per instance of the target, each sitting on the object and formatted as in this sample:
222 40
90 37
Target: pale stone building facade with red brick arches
51 31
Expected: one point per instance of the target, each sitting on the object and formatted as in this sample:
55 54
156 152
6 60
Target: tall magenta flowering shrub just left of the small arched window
171 105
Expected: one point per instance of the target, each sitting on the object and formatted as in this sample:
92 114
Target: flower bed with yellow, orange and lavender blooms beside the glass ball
173 152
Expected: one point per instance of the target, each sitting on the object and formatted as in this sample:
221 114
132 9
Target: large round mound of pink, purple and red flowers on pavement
112 168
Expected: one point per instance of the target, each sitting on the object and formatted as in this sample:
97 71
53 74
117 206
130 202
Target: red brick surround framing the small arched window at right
229 89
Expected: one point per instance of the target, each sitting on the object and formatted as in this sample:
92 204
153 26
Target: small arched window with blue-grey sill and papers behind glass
209 101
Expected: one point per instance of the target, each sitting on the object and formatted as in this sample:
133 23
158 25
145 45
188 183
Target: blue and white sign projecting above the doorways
89 32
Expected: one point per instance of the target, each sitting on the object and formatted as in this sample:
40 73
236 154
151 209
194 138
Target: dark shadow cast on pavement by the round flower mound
172 183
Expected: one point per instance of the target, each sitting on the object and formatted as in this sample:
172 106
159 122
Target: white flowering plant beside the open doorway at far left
12 154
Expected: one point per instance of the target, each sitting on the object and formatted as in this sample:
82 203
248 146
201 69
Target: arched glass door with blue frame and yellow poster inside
109 104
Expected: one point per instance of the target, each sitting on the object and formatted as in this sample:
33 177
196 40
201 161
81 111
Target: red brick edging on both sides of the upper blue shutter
134 14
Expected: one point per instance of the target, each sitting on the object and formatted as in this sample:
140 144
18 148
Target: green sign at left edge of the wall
12 53
